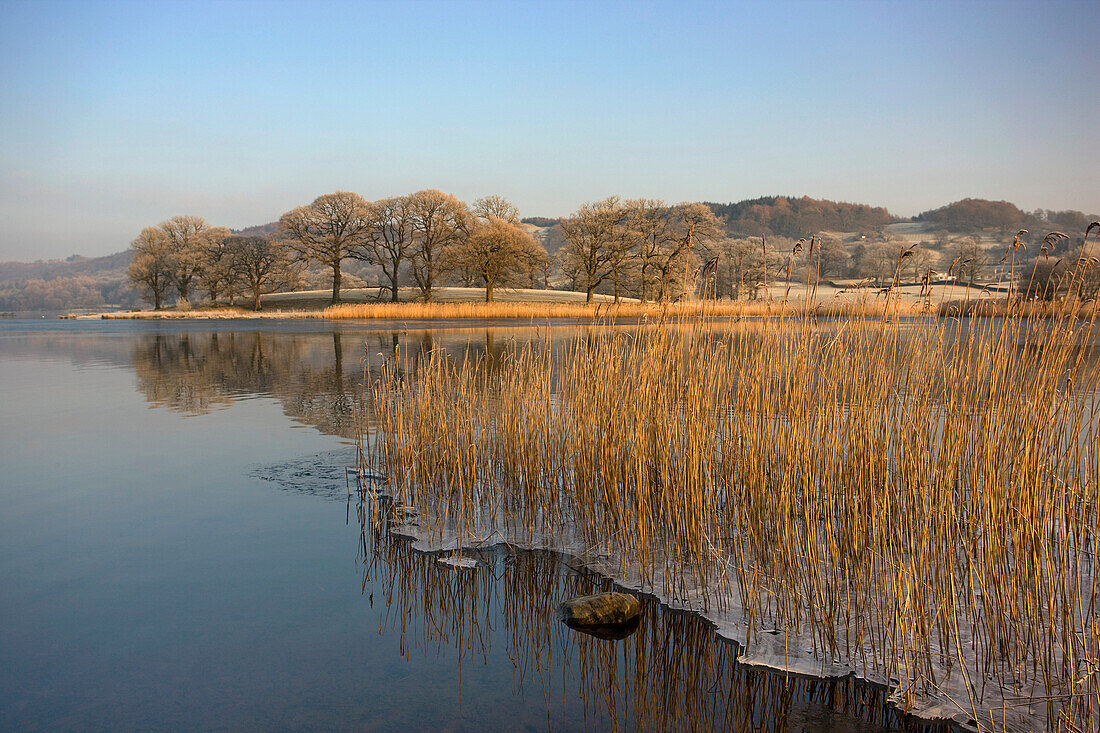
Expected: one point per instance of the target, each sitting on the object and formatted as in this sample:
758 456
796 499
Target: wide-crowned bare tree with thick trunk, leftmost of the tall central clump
328 232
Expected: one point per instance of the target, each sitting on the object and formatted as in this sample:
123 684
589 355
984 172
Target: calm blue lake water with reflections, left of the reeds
178 552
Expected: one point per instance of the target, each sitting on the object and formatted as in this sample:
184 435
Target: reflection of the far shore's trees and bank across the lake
318 371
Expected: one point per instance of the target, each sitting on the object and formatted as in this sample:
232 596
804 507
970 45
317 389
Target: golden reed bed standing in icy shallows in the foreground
914 501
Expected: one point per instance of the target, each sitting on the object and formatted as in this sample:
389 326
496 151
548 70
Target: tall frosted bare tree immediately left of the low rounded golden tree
438 222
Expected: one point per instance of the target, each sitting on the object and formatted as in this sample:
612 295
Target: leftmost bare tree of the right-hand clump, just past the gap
592 242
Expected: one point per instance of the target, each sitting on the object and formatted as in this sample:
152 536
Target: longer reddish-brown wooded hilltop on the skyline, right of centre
799 217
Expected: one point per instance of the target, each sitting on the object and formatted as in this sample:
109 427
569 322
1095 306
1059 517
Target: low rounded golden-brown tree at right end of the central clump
501 253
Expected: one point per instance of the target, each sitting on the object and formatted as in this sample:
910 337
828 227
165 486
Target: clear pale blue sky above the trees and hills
117 116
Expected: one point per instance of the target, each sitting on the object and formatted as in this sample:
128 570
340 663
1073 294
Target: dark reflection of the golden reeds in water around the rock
674 673
